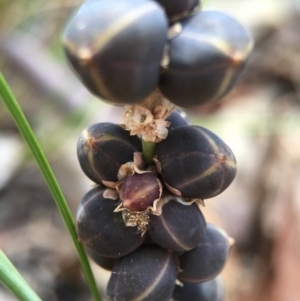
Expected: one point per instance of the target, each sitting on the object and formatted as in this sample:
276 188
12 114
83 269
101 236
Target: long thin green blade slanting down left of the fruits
28 135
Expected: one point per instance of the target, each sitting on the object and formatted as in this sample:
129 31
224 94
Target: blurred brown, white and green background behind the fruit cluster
259 120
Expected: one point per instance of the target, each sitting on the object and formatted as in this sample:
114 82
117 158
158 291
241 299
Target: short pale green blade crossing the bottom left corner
13 280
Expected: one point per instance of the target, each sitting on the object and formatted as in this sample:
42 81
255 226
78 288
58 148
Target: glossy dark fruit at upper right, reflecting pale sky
206 59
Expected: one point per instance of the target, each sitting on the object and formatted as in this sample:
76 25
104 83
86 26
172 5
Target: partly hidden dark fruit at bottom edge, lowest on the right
211 290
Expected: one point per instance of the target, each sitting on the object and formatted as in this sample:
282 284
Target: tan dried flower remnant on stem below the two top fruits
148 118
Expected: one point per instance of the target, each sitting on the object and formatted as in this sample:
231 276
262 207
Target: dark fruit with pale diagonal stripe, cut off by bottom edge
147 274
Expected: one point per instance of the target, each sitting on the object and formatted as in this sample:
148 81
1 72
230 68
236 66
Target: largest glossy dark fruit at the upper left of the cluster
115 47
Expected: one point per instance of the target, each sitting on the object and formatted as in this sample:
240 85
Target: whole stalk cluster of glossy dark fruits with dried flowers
143 220
